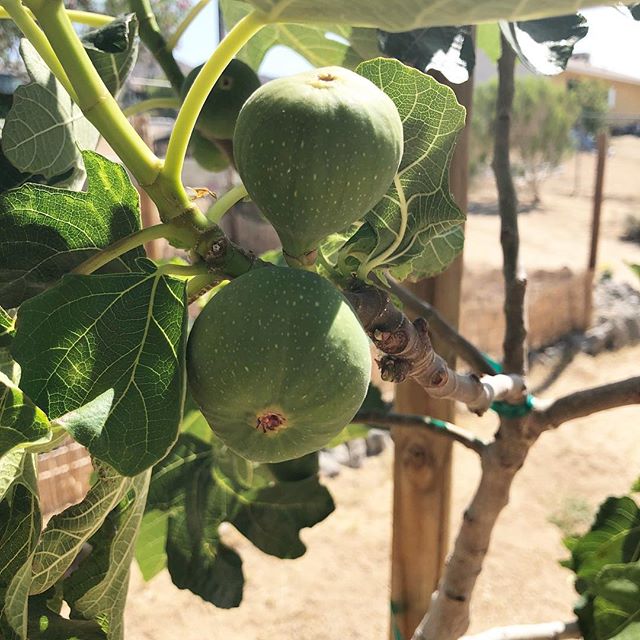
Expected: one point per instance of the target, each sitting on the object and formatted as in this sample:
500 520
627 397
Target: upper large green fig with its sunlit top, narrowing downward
316 151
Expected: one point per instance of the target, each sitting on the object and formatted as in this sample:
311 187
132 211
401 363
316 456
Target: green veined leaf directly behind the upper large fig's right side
415 230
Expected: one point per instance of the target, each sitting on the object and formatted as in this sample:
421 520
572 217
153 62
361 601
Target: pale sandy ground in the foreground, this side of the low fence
340 587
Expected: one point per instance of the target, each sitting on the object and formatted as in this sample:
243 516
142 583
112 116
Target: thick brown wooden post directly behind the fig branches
422 465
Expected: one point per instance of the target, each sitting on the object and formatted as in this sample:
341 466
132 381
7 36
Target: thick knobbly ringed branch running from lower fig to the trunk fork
409 354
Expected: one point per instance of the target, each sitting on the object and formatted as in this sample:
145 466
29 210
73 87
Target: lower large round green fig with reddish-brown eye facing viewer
278 363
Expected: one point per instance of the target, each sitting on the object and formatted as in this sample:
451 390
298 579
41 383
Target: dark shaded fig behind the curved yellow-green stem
217 119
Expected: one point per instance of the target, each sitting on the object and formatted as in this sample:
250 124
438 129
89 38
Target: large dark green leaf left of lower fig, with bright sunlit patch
117 342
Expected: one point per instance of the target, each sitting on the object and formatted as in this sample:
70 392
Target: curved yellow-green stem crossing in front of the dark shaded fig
200 89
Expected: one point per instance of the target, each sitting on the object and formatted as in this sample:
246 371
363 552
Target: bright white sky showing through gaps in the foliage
613 42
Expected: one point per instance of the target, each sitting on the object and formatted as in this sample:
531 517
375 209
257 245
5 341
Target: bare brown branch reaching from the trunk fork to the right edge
585 402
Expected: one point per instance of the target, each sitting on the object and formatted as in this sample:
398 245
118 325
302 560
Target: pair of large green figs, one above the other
278 361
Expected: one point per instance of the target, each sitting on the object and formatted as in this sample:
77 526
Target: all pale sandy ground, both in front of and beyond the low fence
340 588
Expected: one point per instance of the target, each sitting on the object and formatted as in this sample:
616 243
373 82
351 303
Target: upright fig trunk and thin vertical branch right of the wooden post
449 614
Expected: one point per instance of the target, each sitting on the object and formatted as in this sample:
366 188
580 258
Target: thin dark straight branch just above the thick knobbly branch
462 347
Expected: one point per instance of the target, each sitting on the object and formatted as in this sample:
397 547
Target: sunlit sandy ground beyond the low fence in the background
557 232
